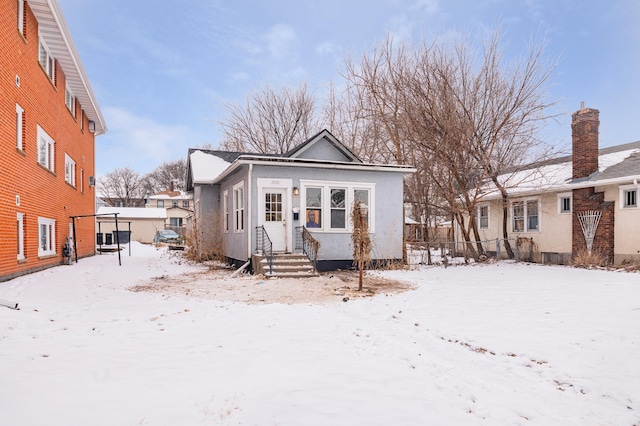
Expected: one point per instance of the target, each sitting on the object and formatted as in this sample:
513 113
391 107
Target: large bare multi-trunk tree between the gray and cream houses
458 119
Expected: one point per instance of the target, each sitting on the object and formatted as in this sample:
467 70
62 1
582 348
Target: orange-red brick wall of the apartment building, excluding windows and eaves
42 193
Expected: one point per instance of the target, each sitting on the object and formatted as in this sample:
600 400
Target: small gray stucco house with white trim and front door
284 203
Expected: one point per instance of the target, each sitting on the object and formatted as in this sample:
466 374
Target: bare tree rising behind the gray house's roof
270 122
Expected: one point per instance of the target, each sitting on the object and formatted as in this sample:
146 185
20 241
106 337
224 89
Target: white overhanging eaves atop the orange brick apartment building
53 28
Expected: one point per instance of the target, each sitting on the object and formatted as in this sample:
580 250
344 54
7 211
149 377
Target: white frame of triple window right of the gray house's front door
325 203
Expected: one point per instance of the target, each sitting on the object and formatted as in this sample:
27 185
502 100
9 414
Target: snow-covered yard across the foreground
487 344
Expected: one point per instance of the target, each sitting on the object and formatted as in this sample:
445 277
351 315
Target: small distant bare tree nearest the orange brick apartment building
122 186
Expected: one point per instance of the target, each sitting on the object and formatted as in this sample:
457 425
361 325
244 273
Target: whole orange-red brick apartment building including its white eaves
49 118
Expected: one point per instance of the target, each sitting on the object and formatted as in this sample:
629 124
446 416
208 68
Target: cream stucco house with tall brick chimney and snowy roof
551 202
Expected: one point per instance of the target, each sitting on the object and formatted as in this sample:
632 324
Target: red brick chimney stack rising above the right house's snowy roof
584 137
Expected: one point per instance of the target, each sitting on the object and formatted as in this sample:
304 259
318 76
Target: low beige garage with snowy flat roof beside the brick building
143 223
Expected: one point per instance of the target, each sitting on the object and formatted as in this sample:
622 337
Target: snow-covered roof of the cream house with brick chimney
616 164
